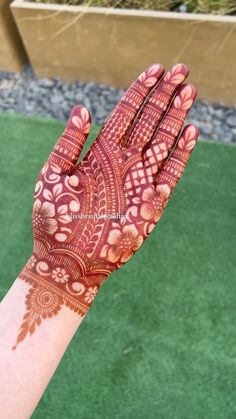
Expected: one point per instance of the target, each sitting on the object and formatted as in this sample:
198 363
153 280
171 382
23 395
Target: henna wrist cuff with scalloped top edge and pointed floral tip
58 277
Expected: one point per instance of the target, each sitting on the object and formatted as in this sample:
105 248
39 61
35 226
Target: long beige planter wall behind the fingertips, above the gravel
114 48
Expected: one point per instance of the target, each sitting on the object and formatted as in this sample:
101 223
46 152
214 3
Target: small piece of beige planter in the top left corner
12 54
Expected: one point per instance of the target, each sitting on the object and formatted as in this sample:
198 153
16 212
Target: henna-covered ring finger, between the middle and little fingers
169 130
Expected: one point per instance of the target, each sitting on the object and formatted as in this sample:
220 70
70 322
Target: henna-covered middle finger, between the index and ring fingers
156 106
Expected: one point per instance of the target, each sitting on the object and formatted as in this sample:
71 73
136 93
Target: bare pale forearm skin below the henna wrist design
26 371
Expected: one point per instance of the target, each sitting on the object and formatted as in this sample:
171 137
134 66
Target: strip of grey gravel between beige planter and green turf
23 93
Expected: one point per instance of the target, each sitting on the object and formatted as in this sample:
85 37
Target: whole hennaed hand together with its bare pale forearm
143 139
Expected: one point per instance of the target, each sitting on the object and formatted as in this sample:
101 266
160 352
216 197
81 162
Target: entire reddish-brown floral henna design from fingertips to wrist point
89 219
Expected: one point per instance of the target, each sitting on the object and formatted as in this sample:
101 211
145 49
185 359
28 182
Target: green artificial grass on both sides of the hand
160 340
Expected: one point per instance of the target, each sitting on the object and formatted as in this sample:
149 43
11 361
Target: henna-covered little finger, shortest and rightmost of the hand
175 165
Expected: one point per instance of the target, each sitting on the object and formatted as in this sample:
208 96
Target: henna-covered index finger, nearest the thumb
118 123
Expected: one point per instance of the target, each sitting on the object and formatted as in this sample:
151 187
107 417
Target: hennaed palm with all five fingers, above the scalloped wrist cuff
107 205
